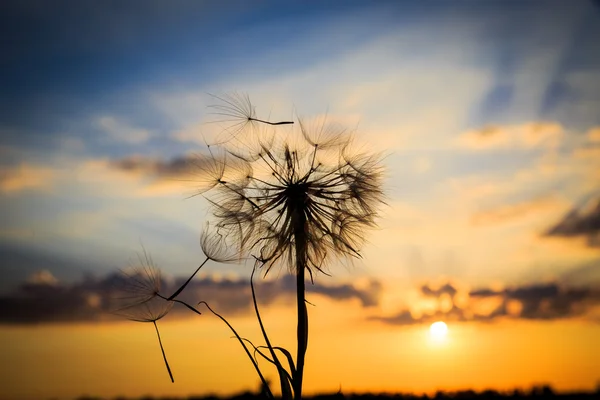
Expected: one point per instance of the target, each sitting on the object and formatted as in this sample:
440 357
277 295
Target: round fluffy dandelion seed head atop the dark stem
294 198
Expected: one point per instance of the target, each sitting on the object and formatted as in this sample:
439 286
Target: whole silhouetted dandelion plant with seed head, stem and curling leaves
296 198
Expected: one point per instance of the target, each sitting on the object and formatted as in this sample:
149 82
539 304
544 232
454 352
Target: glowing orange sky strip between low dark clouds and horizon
124 358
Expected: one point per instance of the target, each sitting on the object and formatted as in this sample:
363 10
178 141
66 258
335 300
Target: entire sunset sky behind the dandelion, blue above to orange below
487 112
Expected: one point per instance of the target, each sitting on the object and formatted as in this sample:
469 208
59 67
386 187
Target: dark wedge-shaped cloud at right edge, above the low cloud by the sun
584 222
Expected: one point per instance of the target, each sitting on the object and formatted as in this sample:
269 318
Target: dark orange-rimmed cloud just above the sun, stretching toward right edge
541 301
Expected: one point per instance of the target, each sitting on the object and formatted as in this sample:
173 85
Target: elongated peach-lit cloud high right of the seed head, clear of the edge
525 136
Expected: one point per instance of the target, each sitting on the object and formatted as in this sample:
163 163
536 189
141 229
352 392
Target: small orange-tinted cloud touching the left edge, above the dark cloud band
14 179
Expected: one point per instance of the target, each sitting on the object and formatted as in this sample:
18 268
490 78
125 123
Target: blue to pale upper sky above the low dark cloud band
88 85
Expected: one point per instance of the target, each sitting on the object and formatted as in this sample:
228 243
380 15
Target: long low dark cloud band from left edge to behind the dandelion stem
43 299
